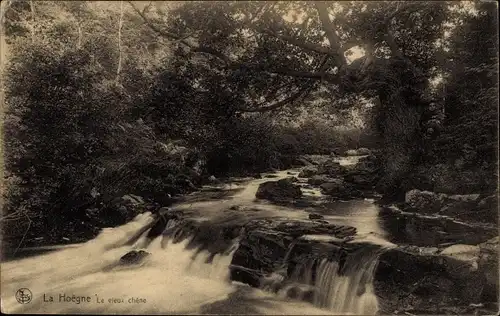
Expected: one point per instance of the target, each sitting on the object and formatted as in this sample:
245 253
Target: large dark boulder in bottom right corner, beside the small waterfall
425 281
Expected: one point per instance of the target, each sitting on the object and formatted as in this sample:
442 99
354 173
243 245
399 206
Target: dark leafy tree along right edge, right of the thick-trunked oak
470 90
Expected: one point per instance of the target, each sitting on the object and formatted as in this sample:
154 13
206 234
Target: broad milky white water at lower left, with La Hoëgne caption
172 280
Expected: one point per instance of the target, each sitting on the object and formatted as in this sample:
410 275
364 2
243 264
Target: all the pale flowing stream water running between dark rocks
176 279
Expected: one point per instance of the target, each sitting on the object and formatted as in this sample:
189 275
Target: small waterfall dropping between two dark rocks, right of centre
342 284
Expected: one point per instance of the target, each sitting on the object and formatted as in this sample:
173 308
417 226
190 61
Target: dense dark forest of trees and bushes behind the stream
102 99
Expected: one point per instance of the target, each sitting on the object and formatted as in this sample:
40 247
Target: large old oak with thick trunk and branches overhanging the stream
271 54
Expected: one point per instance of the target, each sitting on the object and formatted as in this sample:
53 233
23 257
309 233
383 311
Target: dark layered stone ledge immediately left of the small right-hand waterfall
271 245
